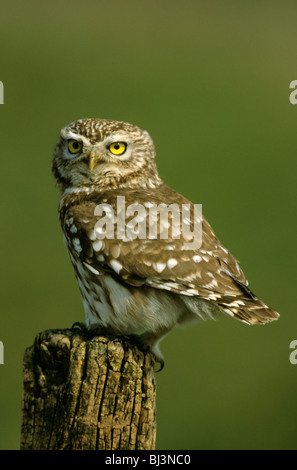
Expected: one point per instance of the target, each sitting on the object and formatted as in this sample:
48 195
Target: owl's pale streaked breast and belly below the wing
124 309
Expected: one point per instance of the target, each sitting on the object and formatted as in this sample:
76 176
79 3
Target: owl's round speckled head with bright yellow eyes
103 153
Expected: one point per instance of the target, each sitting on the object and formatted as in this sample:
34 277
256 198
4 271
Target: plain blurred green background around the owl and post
210 81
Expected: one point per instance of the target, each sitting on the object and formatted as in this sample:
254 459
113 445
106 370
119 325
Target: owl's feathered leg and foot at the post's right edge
149 341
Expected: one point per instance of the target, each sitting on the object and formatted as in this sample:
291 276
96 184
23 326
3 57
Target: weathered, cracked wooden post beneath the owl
87 393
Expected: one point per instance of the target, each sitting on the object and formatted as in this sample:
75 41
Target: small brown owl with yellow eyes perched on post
140 282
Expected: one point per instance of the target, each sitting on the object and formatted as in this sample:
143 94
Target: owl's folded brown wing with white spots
209 271
